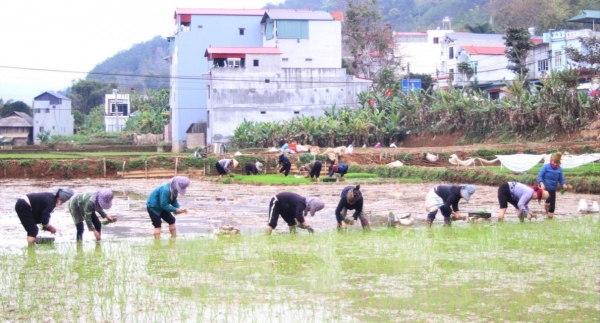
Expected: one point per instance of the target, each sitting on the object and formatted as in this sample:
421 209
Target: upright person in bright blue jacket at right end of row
549 177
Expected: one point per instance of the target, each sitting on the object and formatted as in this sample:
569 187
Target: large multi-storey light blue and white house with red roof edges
260 65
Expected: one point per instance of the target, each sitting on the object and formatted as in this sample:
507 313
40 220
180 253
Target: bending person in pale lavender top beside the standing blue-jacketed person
519 196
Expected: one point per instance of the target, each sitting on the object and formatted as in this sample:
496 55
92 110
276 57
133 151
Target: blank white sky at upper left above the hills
46 45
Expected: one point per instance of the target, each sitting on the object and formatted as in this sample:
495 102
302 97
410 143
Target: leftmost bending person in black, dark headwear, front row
35 208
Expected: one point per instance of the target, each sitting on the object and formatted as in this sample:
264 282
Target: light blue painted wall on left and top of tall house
189 66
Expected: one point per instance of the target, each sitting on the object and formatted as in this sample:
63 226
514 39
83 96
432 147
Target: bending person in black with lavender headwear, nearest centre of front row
293 208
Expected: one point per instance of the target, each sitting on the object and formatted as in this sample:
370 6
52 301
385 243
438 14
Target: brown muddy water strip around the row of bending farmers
212 204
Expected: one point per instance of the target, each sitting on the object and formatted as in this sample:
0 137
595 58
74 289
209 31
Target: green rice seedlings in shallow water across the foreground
541 271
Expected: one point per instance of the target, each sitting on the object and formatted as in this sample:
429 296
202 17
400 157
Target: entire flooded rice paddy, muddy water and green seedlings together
538 271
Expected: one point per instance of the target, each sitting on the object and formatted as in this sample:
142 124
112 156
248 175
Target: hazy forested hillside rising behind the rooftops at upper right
414 15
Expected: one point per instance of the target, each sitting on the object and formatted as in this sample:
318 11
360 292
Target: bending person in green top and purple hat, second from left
83 207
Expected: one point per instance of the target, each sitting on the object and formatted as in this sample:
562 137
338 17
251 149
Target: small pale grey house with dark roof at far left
52 113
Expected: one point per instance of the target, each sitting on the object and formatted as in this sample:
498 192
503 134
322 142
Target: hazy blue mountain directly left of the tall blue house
143 66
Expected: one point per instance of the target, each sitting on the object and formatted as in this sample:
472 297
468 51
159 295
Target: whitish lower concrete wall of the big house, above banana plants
290 93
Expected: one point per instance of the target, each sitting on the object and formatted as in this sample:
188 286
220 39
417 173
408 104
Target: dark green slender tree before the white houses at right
518 45
